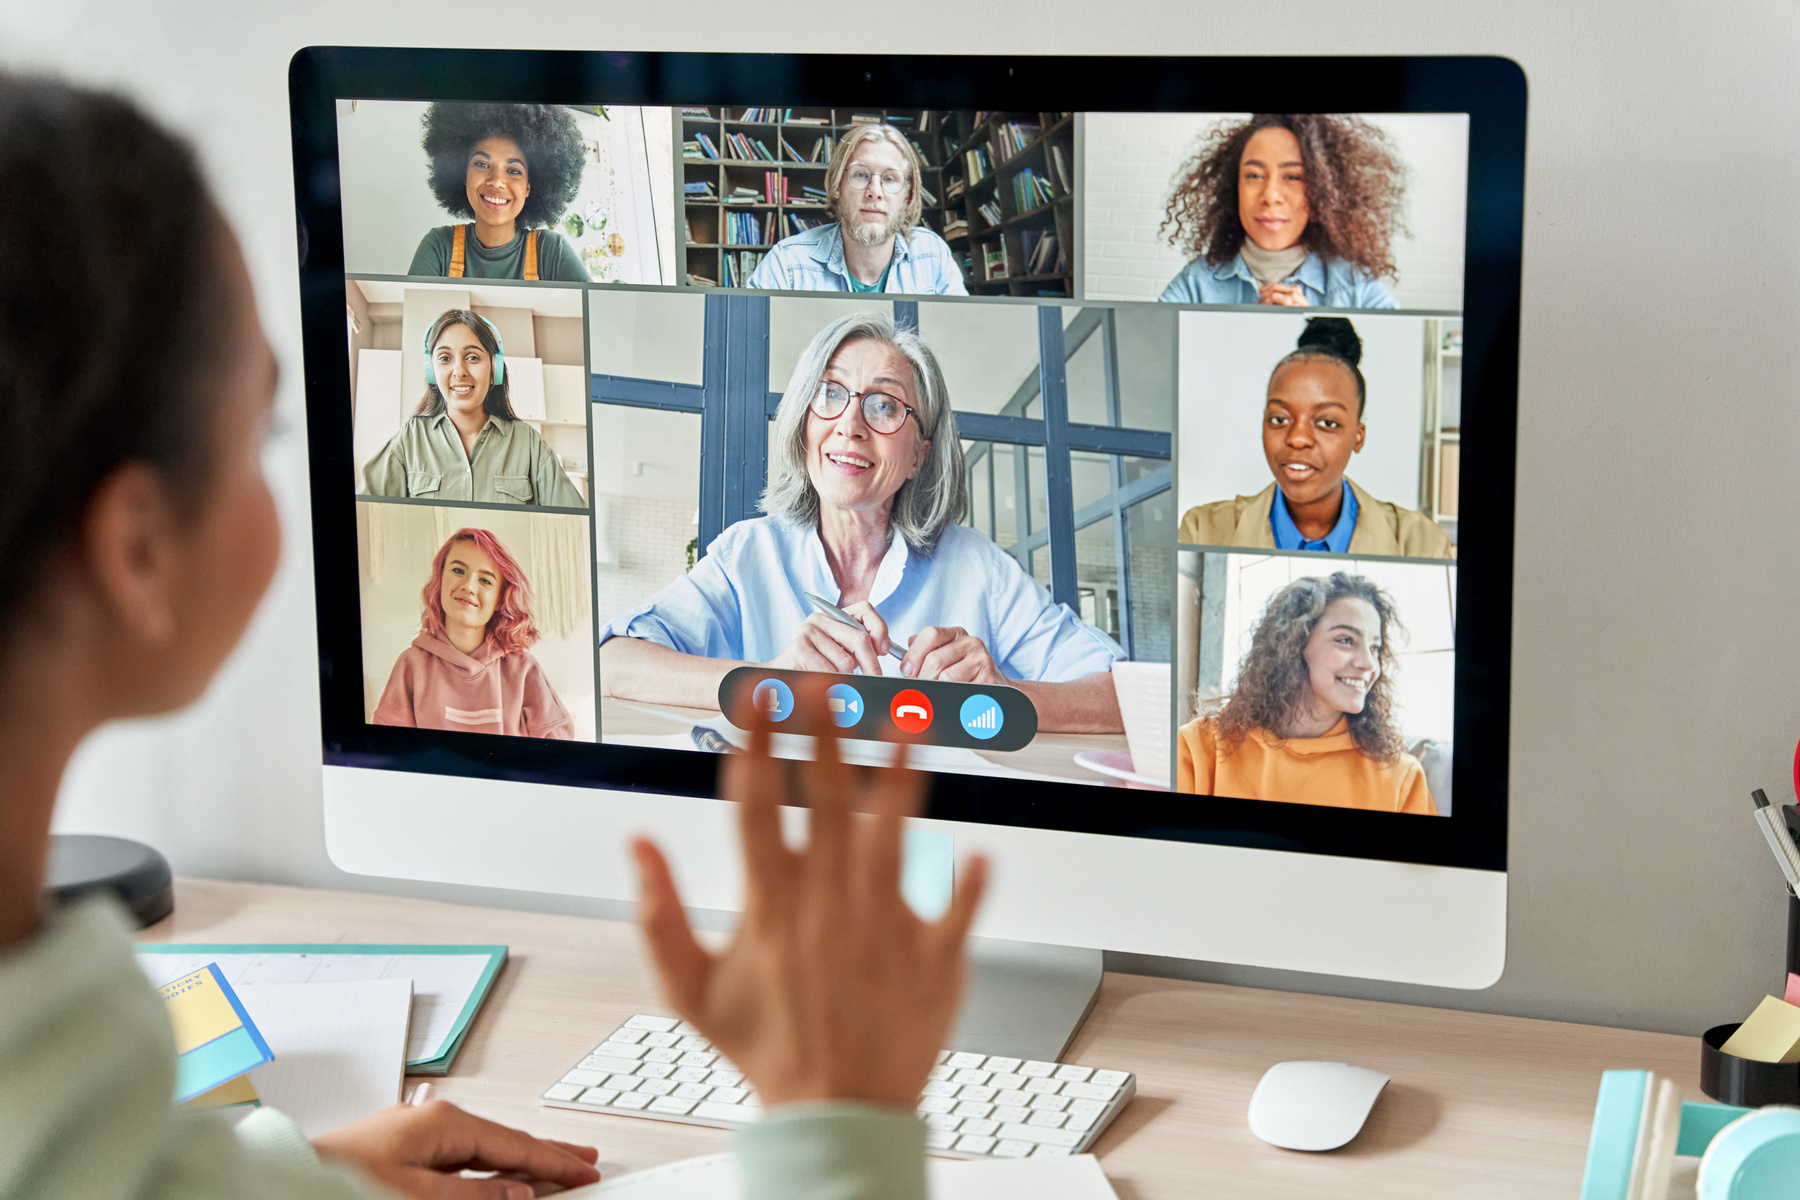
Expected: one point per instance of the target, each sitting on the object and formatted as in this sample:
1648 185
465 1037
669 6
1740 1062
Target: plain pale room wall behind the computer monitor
1659 436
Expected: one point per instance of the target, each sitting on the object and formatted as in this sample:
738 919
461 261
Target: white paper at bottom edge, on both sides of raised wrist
715 1178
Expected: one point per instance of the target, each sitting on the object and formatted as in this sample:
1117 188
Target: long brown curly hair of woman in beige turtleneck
1356 188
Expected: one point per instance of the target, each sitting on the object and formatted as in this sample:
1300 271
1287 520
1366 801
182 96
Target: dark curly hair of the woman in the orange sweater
1273 681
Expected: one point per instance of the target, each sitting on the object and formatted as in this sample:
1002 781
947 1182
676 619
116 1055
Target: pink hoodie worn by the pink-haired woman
436 686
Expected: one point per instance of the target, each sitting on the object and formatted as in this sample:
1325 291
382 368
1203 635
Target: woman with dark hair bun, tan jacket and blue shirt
1311 425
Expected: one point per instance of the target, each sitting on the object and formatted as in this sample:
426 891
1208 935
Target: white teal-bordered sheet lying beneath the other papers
442 983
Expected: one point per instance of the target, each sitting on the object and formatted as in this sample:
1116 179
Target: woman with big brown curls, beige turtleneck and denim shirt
1295 210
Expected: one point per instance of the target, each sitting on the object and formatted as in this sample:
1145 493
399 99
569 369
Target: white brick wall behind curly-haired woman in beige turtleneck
1129 170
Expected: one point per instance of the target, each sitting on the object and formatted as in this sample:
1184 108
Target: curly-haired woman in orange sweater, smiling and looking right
1311 717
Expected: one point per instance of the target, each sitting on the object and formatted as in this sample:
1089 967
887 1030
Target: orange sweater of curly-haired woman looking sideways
1300 771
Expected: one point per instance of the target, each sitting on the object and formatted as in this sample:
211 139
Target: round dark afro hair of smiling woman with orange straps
546 132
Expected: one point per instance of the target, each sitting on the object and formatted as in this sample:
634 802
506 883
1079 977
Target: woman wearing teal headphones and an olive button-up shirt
465 443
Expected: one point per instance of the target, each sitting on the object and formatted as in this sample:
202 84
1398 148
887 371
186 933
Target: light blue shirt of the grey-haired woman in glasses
748 598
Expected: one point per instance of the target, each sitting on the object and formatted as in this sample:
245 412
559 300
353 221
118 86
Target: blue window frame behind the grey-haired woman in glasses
735 406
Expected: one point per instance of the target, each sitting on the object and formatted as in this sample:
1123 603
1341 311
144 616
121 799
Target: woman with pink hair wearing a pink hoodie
471 668
